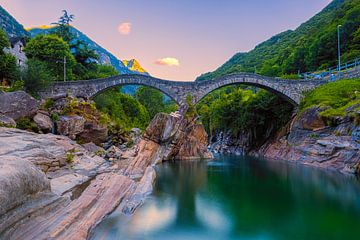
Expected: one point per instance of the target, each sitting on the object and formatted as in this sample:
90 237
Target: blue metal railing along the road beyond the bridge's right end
334 73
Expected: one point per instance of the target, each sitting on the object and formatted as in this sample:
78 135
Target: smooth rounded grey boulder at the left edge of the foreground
19 181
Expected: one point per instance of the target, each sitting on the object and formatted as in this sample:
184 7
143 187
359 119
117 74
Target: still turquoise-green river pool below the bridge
242 198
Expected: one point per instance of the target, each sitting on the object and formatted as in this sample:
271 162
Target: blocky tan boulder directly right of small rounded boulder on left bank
70 126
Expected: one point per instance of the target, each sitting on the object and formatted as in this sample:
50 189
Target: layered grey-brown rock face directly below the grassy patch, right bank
308 140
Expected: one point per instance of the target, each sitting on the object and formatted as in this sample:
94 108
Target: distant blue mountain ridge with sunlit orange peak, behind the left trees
105 57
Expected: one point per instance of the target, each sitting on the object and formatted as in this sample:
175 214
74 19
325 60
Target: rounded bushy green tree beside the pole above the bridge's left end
52 50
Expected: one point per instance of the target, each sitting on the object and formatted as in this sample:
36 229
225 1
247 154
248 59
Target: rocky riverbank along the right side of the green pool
307 139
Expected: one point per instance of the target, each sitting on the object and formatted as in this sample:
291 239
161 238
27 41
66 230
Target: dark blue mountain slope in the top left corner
9 24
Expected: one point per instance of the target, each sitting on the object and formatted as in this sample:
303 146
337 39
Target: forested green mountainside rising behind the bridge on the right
311 46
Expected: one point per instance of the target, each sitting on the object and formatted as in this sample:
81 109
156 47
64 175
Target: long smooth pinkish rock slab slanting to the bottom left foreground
76 220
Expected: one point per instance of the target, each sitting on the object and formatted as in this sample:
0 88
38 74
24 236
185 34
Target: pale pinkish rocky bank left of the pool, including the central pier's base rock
53 187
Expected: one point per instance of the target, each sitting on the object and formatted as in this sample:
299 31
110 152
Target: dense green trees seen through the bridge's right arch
239 111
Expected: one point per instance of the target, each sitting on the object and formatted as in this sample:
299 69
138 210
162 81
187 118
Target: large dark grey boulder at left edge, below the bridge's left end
18 105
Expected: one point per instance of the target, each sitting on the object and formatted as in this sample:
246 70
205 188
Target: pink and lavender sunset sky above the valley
172 39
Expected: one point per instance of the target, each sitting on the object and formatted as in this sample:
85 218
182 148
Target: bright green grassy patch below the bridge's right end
336 96
